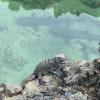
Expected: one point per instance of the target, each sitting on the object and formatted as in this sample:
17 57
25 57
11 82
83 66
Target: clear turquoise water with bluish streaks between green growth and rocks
28 37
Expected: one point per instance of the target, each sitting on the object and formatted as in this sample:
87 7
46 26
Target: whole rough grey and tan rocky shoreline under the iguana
82 82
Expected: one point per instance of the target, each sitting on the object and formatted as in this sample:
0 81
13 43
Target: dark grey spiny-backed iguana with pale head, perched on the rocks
44 67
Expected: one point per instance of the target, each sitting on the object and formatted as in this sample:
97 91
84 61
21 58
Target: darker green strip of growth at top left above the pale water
30 4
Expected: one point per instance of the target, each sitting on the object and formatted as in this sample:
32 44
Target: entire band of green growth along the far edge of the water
76 7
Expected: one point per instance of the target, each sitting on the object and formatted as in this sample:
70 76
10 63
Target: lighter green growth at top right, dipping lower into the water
77 7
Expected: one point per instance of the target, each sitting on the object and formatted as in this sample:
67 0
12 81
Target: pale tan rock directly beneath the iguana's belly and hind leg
33 88
